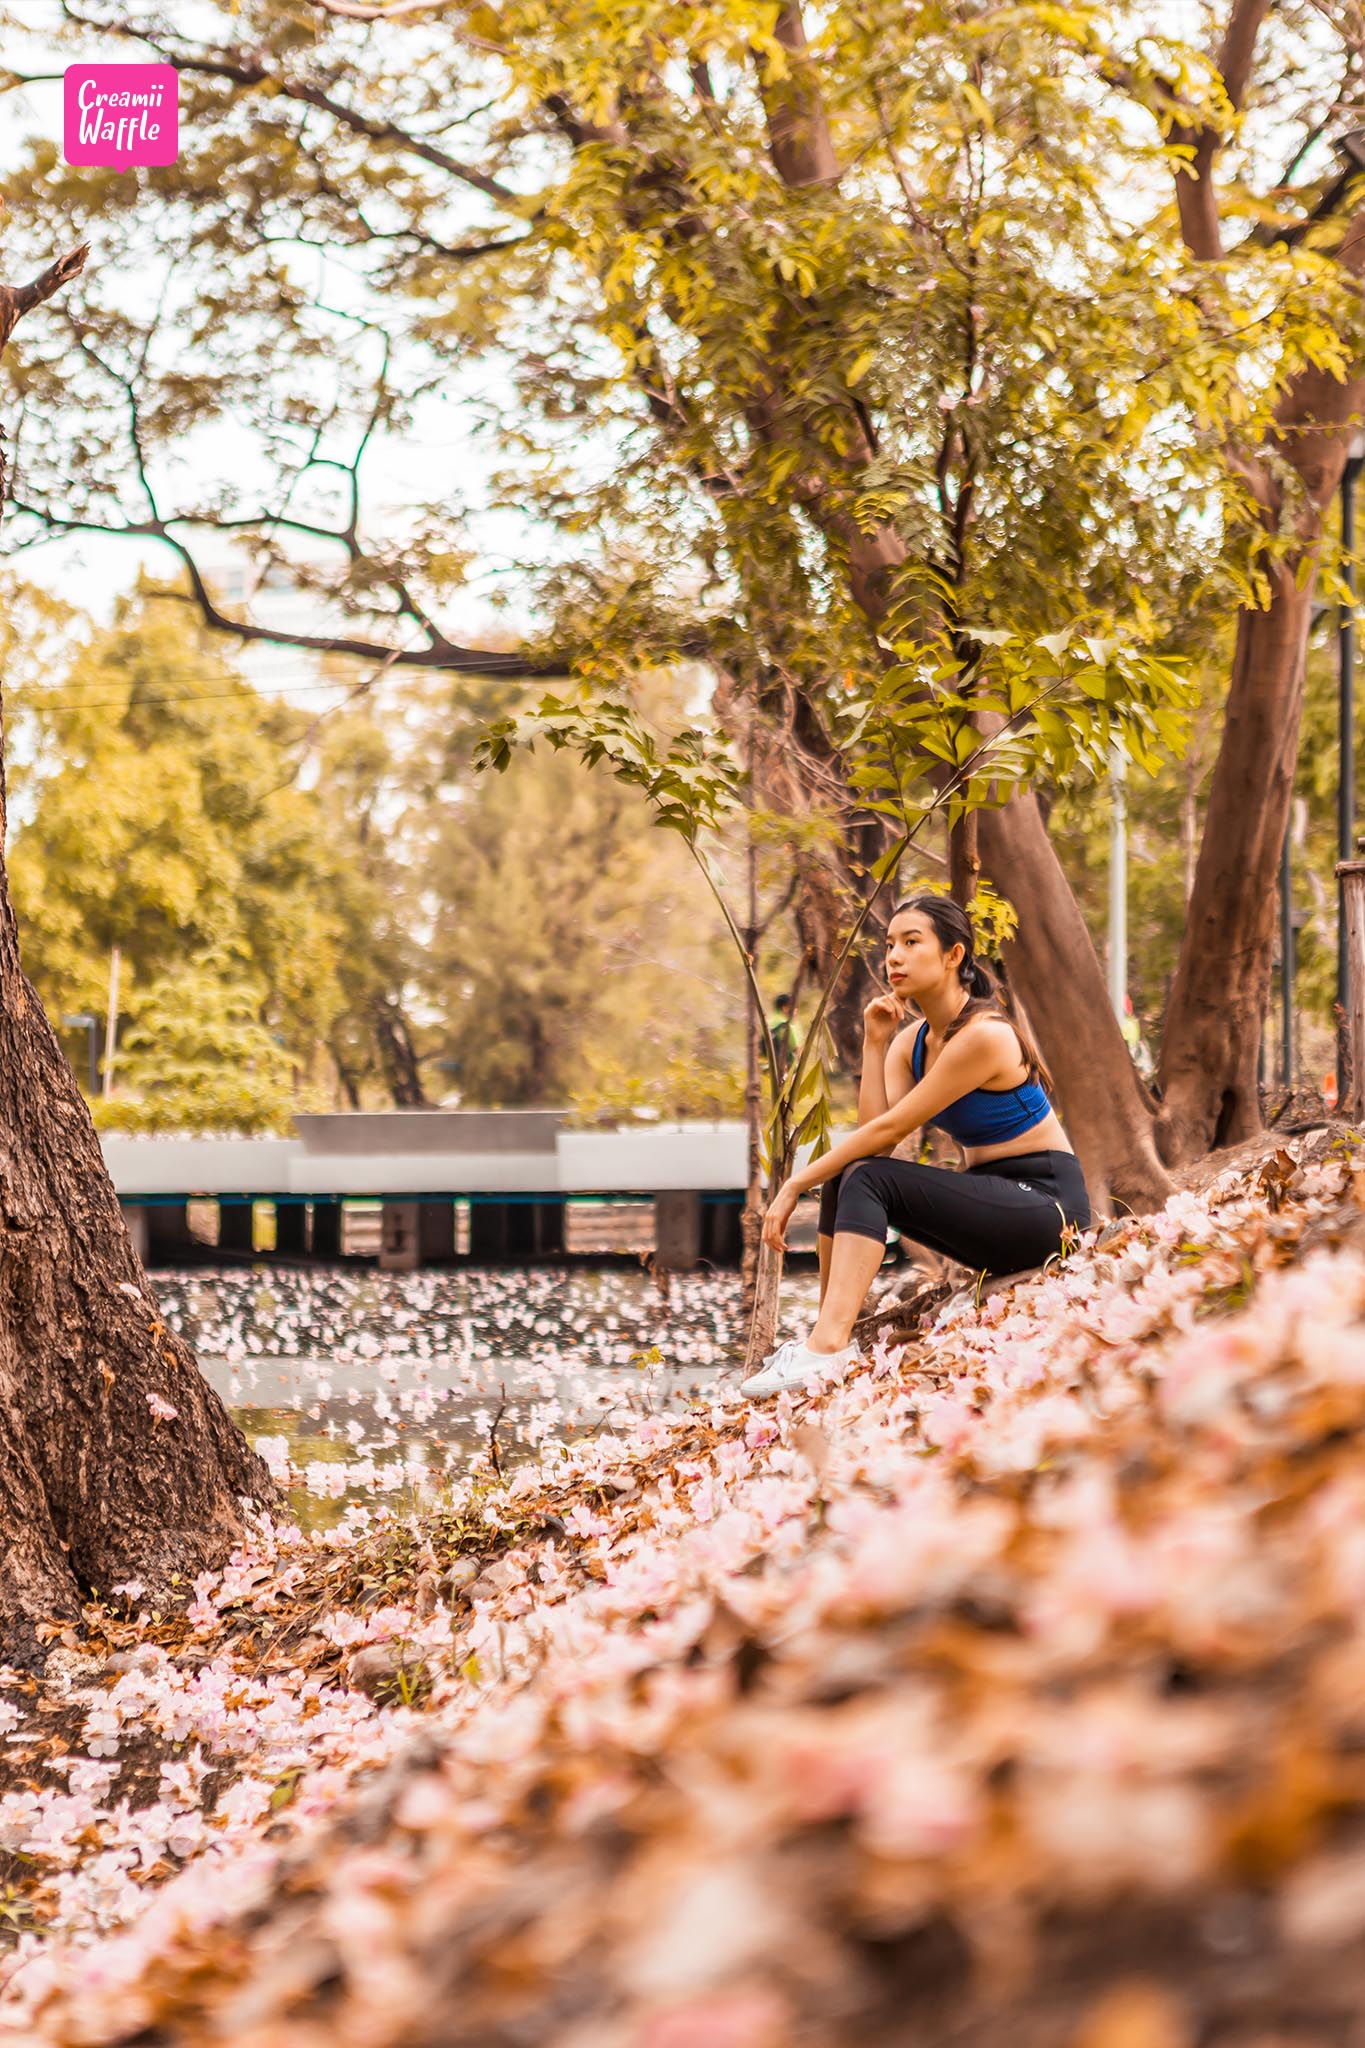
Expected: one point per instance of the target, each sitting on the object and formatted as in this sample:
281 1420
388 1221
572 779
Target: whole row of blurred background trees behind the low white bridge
312 914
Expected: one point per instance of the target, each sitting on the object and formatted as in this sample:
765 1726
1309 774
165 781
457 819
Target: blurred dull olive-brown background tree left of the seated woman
576 955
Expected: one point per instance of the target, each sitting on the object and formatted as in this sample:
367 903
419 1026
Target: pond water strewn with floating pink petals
365 1385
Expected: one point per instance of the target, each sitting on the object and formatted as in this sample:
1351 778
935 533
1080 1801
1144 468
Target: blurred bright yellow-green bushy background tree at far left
161 810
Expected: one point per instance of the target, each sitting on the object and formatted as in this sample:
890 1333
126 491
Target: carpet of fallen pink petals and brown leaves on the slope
1032 1656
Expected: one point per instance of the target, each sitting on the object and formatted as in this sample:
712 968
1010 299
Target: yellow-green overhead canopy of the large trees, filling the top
977 366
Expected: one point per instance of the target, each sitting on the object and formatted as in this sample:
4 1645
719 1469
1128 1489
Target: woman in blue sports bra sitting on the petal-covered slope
969 1068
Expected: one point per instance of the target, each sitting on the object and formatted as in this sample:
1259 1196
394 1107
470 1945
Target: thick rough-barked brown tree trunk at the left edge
95 1486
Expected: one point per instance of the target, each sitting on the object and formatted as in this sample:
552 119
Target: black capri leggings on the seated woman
1002 1215
